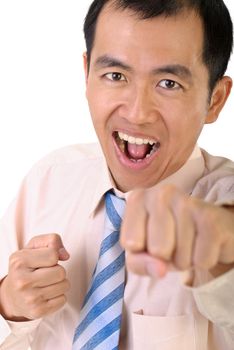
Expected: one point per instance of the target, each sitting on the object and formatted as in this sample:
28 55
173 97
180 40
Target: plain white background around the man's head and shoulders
42 91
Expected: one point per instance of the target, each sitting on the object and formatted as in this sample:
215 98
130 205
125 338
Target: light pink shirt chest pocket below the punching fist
163 333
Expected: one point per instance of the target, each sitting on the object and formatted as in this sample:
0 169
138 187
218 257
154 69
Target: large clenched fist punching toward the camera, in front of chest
164 227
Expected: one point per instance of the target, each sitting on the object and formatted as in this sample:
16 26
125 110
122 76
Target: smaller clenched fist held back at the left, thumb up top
36 284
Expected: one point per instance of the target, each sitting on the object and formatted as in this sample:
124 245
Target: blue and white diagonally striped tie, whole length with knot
100 317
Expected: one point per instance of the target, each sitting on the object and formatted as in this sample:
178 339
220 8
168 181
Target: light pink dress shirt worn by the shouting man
63 193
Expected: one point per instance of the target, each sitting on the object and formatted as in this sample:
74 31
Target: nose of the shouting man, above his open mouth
140 105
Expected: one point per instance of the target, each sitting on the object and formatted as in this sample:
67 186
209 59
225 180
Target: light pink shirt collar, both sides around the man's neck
185 178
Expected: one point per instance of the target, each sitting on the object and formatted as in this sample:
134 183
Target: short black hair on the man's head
217 24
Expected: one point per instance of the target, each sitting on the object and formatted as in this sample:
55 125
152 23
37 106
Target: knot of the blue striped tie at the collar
115 208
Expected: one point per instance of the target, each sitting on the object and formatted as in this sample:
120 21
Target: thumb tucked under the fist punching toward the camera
144 264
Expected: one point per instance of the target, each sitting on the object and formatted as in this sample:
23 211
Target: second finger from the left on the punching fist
161 226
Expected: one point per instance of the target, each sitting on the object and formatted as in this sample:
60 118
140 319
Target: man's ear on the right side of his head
218 99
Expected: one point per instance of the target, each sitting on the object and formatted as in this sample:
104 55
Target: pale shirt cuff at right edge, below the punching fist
215 301
